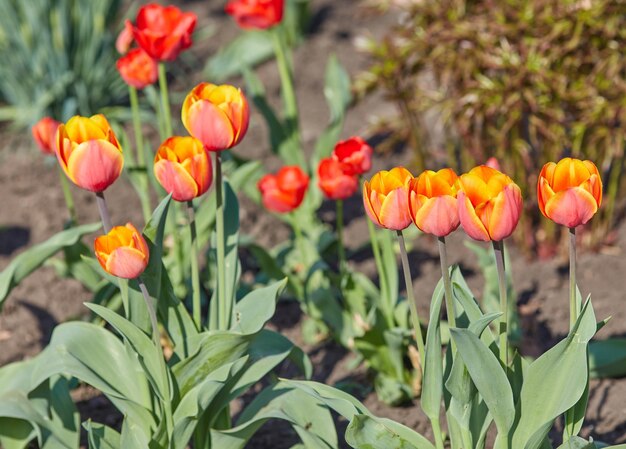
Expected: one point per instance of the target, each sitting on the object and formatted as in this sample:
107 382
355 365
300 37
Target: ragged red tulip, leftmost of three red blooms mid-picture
284 191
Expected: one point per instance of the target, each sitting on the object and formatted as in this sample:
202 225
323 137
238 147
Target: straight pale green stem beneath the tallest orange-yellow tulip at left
224 308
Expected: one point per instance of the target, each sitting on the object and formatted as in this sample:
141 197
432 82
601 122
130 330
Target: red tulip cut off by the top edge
256 14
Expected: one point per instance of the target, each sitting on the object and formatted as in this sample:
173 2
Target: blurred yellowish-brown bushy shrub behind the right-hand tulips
526 81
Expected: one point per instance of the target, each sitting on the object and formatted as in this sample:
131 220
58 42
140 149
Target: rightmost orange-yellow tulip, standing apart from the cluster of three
570 191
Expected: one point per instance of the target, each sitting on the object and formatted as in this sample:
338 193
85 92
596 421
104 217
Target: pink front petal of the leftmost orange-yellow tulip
94 165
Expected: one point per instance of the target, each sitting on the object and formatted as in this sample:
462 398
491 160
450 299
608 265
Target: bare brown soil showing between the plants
33 210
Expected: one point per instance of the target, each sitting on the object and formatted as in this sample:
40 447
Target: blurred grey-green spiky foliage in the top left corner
57 58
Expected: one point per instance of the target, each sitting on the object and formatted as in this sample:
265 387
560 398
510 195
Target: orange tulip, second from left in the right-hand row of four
432 202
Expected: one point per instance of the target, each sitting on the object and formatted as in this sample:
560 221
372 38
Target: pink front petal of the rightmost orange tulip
571 207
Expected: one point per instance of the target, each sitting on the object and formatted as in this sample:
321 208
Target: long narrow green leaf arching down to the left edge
31 259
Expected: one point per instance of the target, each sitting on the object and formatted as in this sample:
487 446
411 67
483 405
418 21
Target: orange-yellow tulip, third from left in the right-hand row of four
490 204
